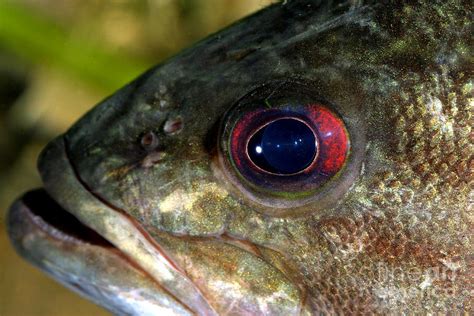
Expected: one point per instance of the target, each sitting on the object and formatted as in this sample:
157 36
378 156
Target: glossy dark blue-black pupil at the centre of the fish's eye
284 146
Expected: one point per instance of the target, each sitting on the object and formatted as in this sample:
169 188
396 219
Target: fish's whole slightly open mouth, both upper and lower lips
64 225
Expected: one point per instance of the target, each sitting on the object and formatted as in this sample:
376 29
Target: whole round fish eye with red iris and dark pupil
283 145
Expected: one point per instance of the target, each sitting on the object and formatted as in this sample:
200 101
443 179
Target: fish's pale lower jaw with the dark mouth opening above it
54 240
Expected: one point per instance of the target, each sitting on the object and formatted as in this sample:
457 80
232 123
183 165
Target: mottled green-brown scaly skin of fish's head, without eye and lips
392 232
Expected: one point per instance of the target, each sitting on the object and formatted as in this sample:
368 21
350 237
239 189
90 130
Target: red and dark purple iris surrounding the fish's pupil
330 151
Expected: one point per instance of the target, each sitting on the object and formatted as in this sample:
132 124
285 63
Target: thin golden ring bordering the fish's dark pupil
309 167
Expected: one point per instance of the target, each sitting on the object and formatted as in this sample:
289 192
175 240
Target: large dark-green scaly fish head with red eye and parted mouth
315 157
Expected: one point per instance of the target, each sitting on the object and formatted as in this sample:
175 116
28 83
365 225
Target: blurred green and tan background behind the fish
57 59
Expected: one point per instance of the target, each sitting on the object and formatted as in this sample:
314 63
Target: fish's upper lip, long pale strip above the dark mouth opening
126 234
